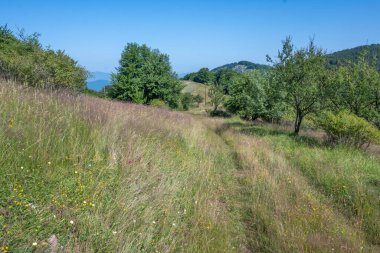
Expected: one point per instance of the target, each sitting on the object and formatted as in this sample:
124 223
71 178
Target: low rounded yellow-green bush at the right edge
348 129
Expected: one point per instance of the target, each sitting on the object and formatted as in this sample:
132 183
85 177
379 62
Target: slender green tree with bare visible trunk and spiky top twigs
301 76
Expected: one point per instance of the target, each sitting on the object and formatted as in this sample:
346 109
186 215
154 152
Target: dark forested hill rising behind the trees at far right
352 54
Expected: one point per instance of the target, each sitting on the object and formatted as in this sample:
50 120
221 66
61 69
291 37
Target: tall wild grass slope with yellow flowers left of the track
111 177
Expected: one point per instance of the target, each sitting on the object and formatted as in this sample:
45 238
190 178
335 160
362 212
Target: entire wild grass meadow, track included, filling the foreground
106 176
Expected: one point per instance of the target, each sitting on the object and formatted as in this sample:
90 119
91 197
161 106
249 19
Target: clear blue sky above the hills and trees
194 33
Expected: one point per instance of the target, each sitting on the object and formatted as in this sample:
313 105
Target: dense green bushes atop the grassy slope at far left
24 60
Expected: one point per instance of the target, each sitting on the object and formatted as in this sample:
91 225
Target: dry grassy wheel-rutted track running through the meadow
281 209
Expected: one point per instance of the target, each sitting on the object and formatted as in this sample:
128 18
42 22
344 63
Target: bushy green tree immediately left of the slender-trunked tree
247 95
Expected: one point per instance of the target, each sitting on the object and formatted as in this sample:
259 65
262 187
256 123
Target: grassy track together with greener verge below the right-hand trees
312 197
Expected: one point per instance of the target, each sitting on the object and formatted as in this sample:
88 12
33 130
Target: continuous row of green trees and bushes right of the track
344 101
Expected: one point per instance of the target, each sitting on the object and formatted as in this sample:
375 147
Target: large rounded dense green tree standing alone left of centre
145 74
